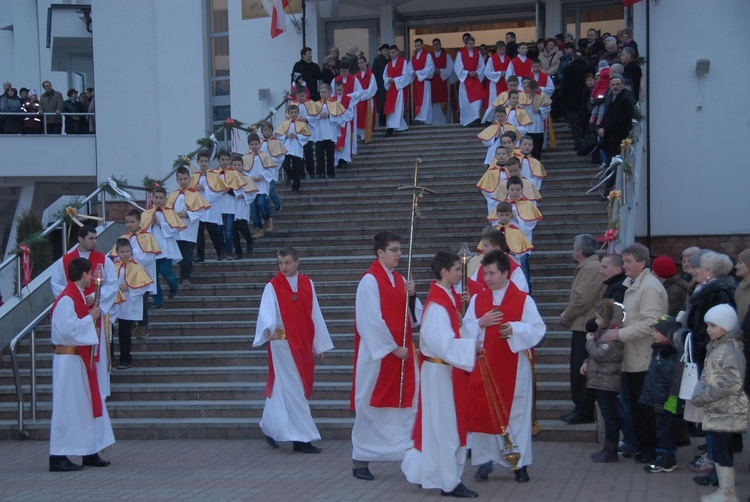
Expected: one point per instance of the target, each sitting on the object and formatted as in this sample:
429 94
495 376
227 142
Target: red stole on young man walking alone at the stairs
296 312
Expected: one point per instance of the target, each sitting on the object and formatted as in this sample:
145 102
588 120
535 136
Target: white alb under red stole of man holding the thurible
526 334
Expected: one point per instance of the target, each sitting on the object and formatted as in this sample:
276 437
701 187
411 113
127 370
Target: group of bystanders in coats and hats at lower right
632 321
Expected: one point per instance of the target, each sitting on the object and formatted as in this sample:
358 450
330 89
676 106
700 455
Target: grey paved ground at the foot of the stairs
224 470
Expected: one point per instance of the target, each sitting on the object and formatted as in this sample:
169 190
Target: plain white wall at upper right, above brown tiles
699 175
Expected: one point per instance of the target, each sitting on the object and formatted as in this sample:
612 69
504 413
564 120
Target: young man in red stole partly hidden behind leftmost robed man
108 293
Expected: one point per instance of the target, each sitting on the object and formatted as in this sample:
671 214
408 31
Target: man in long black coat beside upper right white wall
618 117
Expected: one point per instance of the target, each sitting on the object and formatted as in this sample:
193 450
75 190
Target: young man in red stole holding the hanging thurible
500 394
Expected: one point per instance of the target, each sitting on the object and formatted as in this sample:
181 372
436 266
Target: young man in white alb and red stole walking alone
290 320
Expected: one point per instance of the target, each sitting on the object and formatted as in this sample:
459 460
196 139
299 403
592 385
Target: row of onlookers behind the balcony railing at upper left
49 107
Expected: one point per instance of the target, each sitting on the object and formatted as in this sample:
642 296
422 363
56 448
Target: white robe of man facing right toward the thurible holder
441 461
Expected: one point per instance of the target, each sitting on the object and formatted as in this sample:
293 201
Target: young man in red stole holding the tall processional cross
385 409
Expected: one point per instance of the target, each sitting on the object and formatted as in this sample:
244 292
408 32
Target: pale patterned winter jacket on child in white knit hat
720 390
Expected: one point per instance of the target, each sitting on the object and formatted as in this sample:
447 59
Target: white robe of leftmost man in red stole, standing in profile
73 428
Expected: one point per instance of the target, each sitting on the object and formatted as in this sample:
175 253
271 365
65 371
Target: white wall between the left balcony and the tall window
151 85
